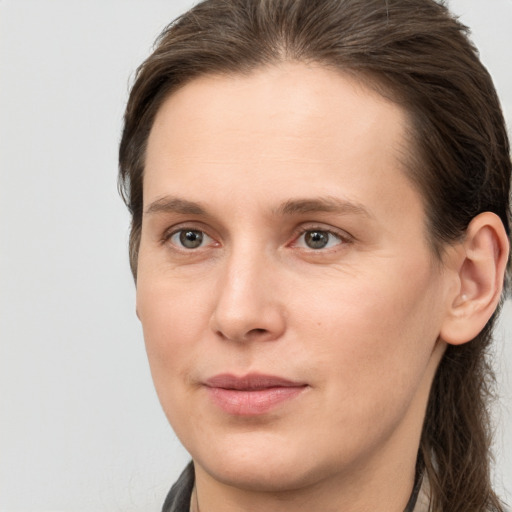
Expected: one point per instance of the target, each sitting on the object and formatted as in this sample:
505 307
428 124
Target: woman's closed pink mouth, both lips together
252 394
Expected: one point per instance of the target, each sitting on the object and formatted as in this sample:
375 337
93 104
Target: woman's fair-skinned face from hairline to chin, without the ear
290 303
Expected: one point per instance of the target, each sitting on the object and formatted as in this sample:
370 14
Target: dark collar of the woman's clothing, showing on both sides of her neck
178 499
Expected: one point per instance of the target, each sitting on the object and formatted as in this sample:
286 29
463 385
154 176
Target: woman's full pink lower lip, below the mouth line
252 403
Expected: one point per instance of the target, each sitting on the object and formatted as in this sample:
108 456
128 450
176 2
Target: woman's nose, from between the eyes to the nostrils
248 306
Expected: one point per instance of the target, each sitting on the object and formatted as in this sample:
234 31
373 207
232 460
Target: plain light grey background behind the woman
80 426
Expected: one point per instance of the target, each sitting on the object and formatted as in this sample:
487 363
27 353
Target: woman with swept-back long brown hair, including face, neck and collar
320 234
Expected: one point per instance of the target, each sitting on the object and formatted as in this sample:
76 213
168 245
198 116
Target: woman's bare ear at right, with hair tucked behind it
481 266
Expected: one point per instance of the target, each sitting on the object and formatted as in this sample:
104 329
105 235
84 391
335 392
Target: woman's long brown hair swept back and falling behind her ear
418 54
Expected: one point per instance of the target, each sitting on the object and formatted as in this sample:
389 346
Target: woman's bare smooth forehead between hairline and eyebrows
279 128
